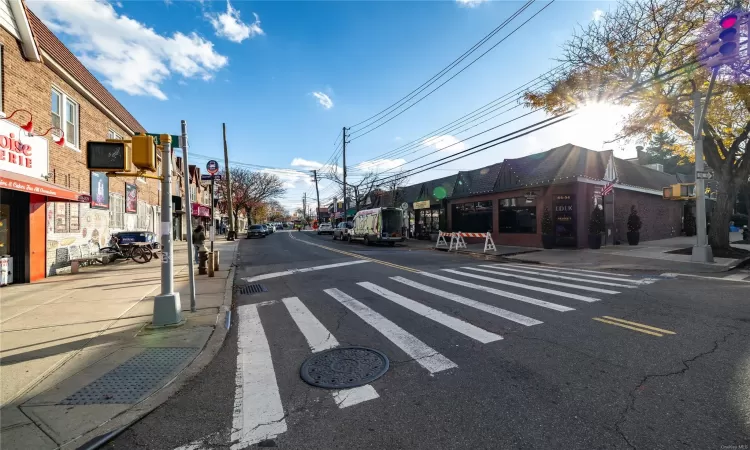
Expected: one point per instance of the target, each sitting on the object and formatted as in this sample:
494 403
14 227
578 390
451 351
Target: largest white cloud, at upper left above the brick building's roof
128 55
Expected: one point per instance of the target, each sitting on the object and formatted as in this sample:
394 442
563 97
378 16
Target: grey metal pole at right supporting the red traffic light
701 251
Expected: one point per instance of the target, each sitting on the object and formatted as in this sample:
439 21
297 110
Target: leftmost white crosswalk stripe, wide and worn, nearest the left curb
258 412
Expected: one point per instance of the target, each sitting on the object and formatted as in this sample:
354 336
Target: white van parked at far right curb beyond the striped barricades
378 225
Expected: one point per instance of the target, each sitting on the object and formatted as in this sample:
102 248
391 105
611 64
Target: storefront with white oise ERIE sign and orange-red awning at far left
24 194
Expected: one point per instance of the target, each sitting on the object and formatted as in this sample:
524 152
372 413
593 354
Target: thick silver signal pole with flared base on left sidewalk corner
167 308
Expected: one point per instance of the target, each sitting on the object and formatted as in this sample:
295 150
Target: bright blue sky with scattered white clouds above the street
286 77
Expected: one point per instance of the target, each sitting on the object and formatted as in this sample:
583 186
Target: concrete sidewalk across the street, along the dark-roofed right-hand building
647 256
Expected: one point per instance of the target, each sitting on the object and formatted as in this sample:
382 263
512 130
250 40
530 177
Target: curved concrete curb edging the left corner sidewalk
112 428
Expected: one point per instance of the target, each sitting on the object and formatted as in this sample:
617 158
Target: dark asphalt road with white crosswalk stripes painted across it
568 382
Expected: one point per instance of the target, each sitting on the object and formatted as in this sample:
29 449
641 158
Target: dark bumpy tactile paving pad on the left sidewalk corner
132 380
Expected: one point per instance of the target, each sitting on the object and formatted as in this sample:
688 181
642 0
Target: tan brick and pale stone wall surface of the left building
28 85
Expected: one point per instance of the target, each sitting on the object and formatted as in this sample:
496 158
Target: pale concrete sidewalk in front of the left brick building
76 356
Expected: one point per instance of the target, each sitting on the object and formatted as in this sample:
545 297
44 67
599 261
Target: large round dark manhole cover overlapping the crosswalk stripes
344 367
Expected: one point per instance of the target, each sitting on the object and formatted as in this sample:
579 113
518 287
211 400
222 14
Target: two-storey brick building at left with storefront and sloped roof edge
41 217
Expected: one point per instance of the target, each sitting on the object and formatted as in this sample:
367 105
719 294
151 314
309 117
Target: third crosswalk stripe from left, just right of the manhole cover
425 355
